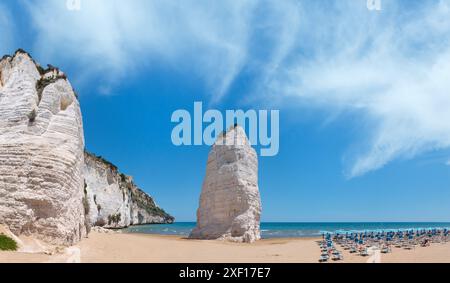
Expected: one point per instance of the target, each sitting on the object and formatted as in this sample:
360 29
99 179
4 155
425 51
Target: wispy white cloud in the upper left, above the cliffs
209 38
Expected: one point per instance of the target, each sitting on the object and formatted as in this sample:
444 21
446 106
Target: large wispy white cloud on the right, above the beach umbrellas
392 67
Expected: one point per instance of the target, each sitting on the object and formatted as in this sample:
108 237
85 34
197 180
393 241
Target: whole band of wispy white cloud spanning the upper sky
391 67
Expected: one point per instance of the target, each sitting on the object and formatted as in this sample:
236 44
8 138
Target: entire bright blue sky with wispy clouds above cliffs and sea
363 95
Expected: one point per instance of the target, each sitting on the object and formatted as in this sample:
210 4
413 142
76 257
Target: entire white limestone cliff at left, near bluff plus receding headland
47 190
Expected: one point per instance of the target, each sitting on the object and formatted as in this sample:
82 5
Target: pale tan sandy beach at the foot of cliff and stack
140 248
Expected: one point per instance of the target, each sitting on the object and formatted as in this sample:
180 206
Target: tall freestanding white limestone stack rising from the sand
230 204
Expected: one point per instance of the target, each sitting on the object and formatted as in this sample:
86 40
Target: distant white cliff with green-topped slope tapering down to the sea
114 200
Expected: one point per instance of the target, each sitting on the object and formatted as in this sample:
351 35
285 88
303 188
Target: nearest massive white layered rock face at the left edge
41 153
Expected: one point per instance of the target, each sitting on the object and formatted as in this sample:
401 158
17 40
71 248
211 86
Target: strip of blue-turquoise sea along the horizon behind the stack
296 230
